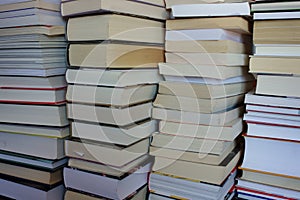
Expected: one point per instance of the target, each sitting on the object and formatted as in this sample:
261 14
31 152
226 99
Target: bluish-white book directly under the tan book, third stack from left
205 34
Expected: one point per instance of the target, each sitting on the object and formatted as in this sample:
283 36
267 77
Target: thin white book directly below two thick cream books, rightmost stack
274 101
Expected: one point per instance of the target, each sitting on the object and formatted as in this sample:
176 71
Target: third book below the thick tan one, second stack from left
110 115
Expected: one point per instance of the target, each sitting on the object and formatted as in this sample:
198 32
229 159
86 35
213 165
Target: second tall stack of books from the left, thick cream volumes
114 51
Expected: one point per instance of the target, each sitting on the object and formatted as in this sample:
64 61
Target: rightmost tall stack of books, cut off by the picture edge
271 167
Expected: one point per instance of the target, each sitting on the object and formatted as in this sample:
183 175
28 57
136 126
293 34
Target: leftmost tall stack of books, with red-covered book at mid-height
33 120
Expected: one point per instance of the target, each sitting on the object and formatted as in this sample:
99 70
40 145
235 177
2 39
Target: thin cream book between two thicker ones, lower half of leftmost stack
58 132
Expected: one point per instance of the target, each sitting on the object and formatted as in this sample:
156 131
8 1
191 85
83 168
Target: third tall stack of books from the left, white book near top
199 105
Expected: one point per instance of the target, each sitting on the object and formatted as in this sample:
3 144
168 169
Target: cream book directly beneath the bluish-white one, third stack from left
202 46
